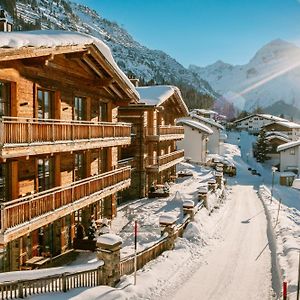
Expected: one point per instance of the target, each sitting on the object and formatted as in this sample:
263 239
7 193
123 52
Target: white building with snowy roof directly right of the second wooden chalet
195 142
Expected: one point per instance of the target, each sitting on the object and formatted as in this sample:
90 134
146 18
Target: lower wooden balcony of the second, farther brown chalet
166 161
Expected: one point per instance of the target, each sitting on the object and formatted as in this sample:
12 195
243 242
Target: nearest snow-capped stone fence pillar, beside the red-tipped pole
109 246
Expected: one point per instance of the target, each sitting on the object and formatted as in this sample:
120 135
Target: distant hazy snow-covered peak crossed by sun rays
272 76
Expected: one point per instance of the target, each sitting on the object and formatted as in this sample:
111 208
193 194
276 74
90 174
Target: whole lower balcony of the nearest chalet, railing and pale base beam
23 215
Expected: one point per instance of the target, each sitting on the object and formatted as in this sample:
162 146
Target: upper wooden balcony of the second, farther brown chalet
165 133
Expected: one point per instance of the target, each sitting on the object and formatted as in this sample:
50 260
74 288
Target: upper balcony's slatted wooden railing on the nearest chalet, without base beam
15 130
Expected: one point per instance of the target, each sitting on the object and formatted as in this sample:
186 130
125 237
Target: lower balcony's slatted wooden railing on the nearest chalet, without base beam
25 209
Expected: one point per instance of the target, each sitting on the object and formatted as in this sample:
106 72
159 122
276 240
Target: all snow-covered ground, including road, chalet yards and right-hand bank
228 254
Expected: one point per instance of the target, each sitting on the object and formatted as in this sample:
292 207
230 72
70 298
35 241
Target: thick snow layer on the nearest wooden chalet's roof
57 38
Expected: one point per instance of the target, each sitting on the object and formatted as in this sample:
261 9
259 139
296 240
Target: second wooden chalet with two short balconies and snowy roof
153 149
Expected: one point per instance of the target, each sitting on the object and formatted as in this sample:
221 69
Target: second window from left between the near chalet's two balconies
45 174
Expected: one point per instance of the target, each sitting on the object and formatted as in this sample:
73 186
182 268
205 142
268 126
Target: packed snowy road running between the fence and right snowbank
239 267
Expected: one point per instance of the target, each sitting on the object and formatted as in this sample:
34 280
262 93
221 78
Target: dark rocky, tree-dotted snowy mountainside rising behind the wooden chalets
152 66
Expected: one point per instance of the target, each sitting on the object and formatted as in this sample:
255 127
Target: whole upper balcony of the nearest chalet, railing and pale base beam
23 136
